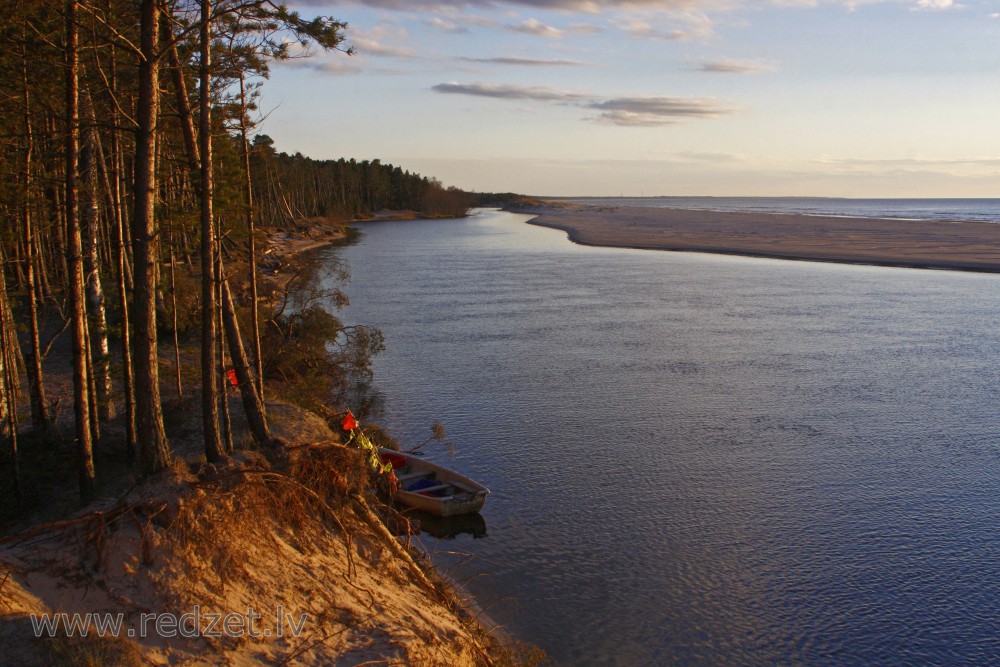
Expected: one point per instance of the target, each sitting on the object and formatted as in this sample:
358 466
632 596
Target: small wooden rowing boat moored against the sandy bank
433 488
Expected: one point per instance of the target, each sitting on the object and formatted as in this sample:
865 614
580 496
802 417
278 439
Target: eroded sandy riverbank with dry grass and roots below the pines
291 532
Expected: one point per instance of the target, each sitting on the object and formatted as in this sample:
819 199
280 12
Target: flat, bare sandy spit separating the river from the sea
952 245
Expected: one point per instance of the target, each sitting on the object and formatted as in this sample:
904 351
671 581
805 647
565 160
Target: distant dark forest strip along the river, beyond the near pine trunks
294 187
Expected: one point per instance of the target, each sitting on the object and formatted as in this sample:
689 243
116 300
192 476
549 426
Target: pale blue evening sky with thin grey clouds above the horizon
842 98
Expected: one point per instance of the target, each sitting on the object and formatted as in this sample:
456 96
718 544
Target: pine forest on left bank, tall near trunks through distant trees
130 170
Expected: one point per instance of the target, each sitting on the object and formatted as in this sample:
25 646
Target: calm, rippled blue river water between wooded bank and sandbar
700 459
